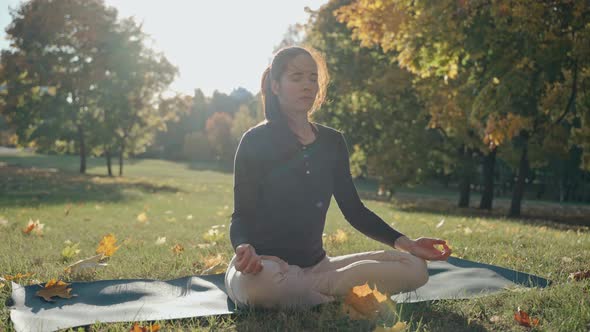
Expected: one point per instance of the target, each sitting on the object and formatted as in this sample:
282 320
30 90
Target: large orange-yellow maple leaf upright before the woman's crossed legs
362 302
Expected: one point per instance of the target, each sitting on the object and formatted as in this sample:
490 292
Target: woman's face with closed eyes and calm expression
298 85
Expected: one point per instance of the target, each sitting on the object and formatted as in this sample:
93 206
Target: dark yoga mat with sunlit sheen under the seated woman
129 300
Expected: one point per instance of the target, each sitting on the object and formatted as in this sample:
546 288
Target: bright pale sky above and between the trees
216 44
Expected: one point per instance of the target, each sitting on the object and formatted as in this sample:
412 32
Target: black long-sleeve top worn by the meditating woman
282 191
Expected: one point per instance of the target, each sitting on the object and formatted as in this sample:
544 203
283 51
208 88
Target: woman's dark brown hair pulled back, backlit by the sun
270 102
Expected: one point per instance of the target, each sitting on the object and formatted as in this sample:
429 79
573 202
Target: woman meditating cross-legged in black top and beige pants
286 171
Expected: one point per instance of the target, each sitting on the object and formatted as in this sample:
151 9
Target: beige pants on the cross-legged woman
290 286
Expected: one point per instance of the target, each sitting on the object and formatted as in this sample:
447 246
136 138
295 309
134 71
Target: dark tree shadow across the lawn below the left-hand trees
20 186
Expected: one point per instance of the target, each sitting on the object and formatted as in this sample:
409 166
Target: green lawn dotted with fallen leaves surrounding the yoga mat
183 200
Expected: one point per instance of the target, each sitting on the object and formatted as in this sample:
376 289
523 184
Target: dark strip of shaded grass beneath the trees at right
551 215
